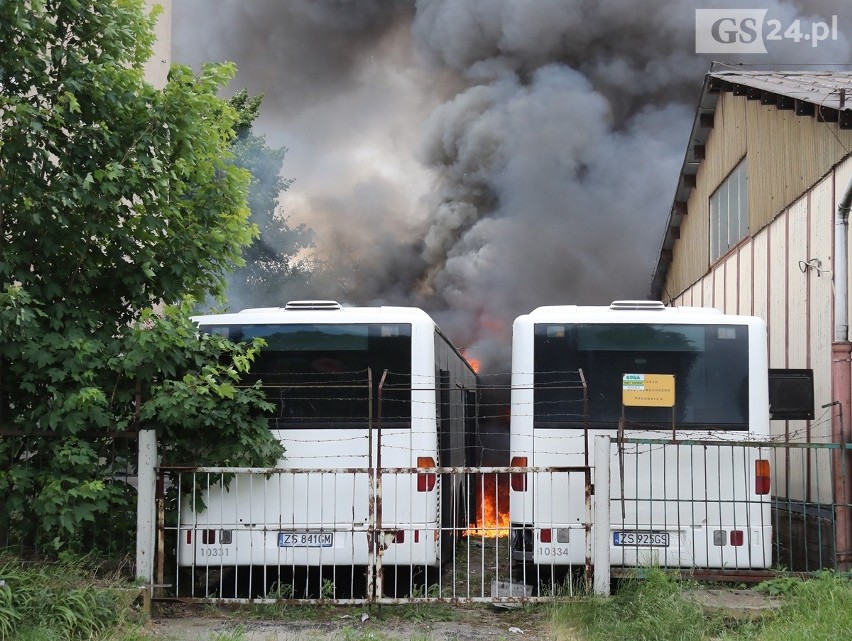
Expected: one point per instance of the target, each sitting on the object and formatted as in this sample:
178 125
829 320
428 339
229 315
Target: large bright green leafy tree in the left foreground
115 198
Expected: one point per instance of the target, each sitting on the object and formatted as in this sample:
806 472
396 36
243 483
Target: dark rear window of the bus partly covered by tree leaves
316 375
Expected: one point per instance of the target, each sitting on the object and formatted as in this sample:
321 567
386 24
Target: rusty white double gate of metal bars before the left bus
239 541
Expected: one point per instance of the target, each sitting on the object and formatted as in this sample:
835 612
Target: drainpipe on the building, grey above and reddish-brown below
841 377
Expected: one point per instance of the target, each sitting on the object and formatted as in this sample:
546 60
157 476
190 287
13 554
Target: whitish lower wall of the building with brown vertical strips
769 276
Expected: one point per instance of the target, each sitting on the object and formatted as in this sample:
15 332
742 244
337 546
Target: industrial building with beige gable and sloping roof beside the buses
759 226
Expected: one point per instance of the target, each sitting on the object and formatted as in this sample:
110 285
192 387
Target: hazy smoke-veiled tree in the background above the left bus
272 261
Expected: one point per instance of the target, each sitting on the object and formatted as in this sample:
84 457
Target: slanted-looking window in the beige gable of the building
729 212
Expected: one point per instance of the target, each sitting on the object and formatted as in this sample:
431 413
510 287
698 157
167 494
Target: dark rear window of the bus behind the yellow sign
709 364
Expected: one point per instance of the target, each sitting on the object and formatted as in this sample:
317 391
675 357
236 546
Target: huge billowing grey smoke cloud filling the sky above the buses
478 158
